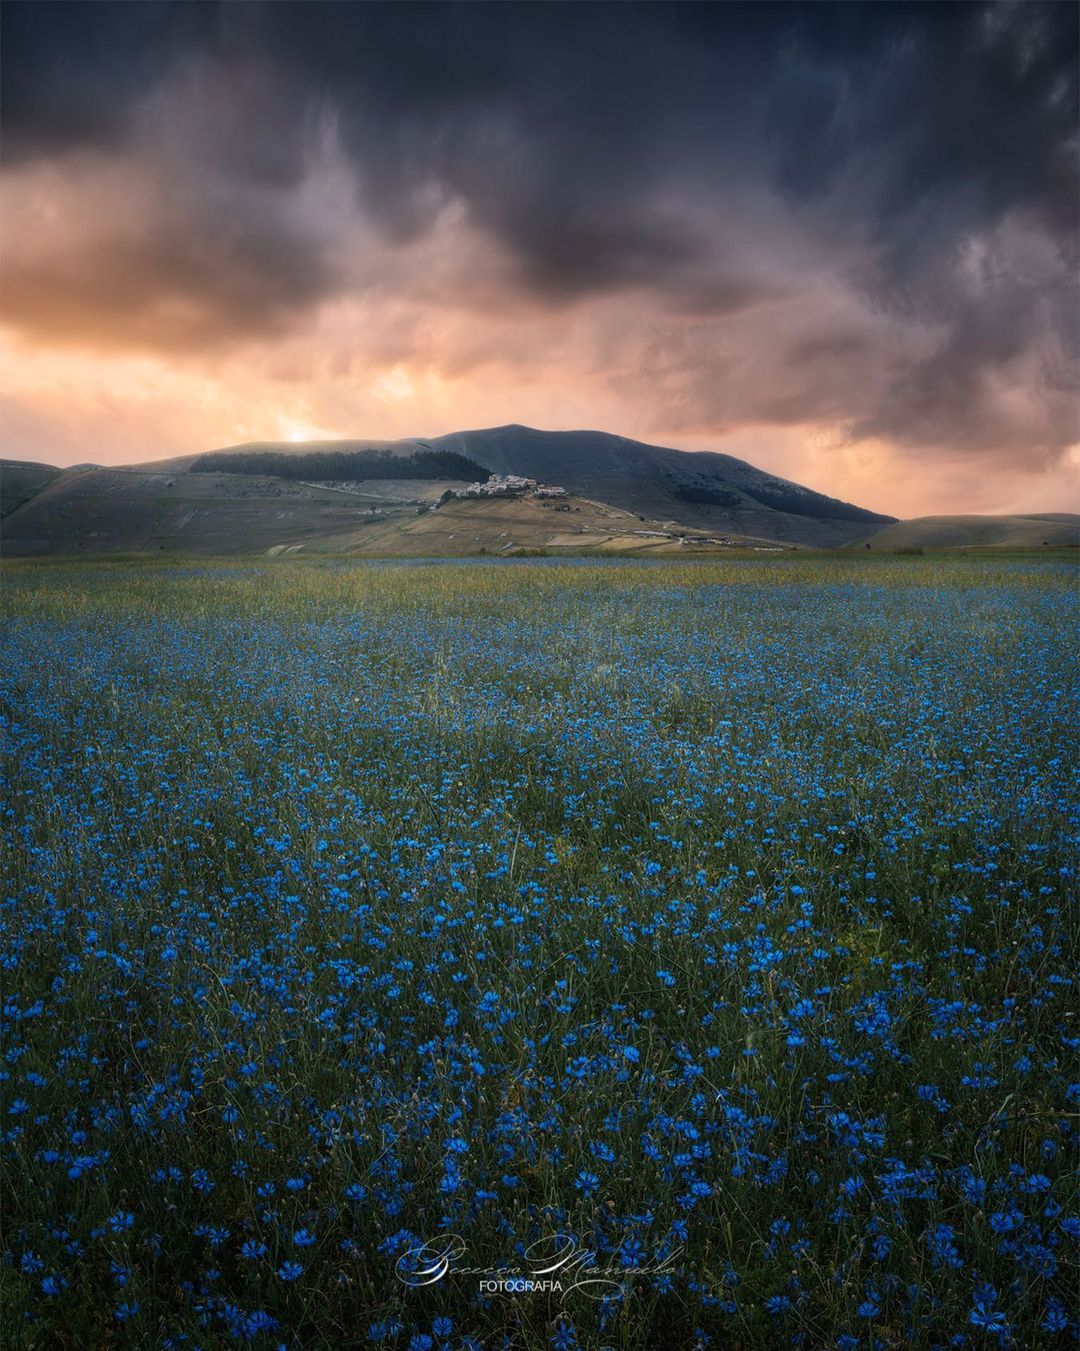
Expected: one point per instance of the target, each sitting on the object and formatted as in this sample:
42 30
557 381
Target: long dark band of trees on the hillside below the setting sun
332 465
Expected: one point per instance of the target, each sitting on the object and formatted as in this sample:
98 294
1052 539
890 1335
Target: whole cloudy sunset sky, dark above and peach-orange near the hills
836 241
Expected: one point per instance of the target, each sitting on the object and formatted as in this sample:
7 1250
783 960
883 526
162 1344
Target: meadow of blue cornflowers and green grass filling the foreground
693 938
